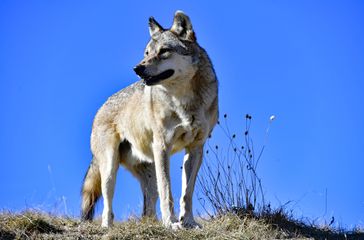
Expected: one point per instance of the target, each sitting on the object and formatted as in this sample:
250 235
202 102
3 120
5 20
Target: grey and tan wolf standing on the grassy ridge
174 106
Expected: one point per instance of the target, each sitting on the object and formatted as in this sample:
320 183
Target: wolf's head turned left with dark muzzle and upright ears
171 55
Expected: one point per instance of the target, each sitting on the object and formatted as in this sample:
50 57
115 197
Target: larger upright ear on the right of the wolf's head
182 27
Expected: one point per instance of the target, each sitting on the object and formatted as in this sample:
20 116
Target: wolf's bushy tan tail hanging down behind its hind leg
91 191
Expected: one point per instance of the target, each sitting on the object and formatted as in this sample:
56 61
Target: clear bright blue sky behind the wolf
300 60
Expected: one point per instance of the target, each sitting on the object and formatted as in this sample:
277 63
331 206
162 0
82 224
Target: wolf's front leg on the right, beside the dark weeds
191 164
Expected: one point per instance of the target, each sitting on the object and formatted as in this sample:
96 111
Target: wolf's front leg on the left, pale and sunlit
161 158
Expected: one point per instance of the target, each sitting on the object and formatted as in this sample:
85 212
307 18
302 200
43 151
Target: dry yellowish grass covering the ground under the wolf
35 225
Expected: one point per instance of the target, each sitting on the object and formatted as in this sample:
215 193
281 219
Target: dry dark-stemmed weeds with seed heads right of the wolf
229 183
